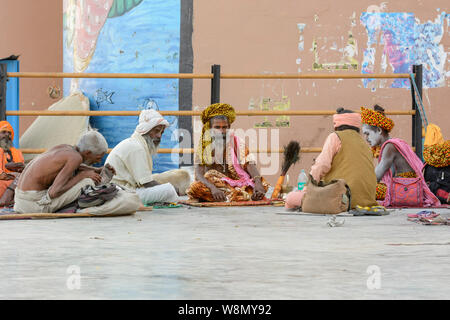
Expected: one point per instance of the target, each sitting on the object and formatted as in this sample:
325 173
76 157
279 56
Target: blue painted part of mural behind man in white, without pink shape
144 40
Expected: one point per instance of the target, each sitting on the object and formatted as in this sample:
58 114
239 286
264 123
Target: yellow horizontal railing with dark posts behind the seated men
215 76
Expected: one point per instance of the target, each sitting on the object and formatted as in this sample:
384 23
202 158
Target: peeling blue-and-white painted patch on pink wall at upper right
396 41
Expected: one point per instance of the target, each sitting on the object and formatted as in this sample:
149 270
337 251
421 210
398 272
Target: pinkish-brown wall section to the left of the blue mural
33 29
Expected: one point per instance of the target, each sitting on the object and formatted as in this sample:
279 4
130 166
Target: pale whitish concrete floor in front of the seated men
224 253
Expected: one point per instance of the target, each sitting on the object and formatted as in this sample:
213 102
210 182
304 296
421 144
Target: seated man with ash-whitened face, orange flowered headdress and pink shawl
396 160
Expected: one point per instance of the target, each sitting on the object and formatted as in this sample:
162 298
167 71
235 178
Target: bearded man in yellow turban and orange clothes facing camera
224 169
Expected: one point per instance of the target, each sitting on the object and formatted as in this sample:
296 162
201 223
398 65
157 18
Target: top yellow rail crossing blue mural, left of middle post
109 75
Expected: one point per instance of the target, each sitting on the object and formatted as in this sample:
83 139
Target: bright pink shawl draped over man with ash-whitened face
417 165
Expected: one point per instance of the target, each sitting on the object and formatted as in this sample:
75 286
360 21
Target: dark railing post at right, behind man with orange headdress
416 119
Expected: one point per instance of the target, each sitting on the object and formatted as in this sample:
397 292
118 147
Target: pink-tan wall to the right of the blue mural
262 37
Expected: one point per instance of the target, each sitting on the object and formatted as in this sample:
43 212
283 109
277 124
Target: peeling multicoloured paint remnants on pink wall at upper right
395 42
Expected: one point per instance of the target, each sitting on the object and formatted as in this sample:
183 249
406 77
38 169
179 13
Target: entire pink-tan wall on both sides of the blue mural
258 37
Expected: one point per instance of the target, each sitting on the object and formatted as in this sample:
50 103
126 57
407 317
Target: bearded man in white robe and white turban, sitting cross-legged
132 160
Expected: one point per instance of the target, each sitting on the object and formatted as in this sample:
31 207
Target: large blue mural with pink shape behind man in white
125 36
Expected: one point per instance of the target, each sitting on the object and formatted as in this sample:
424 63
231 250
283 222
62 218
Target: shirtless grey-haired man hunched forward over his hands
56 178
